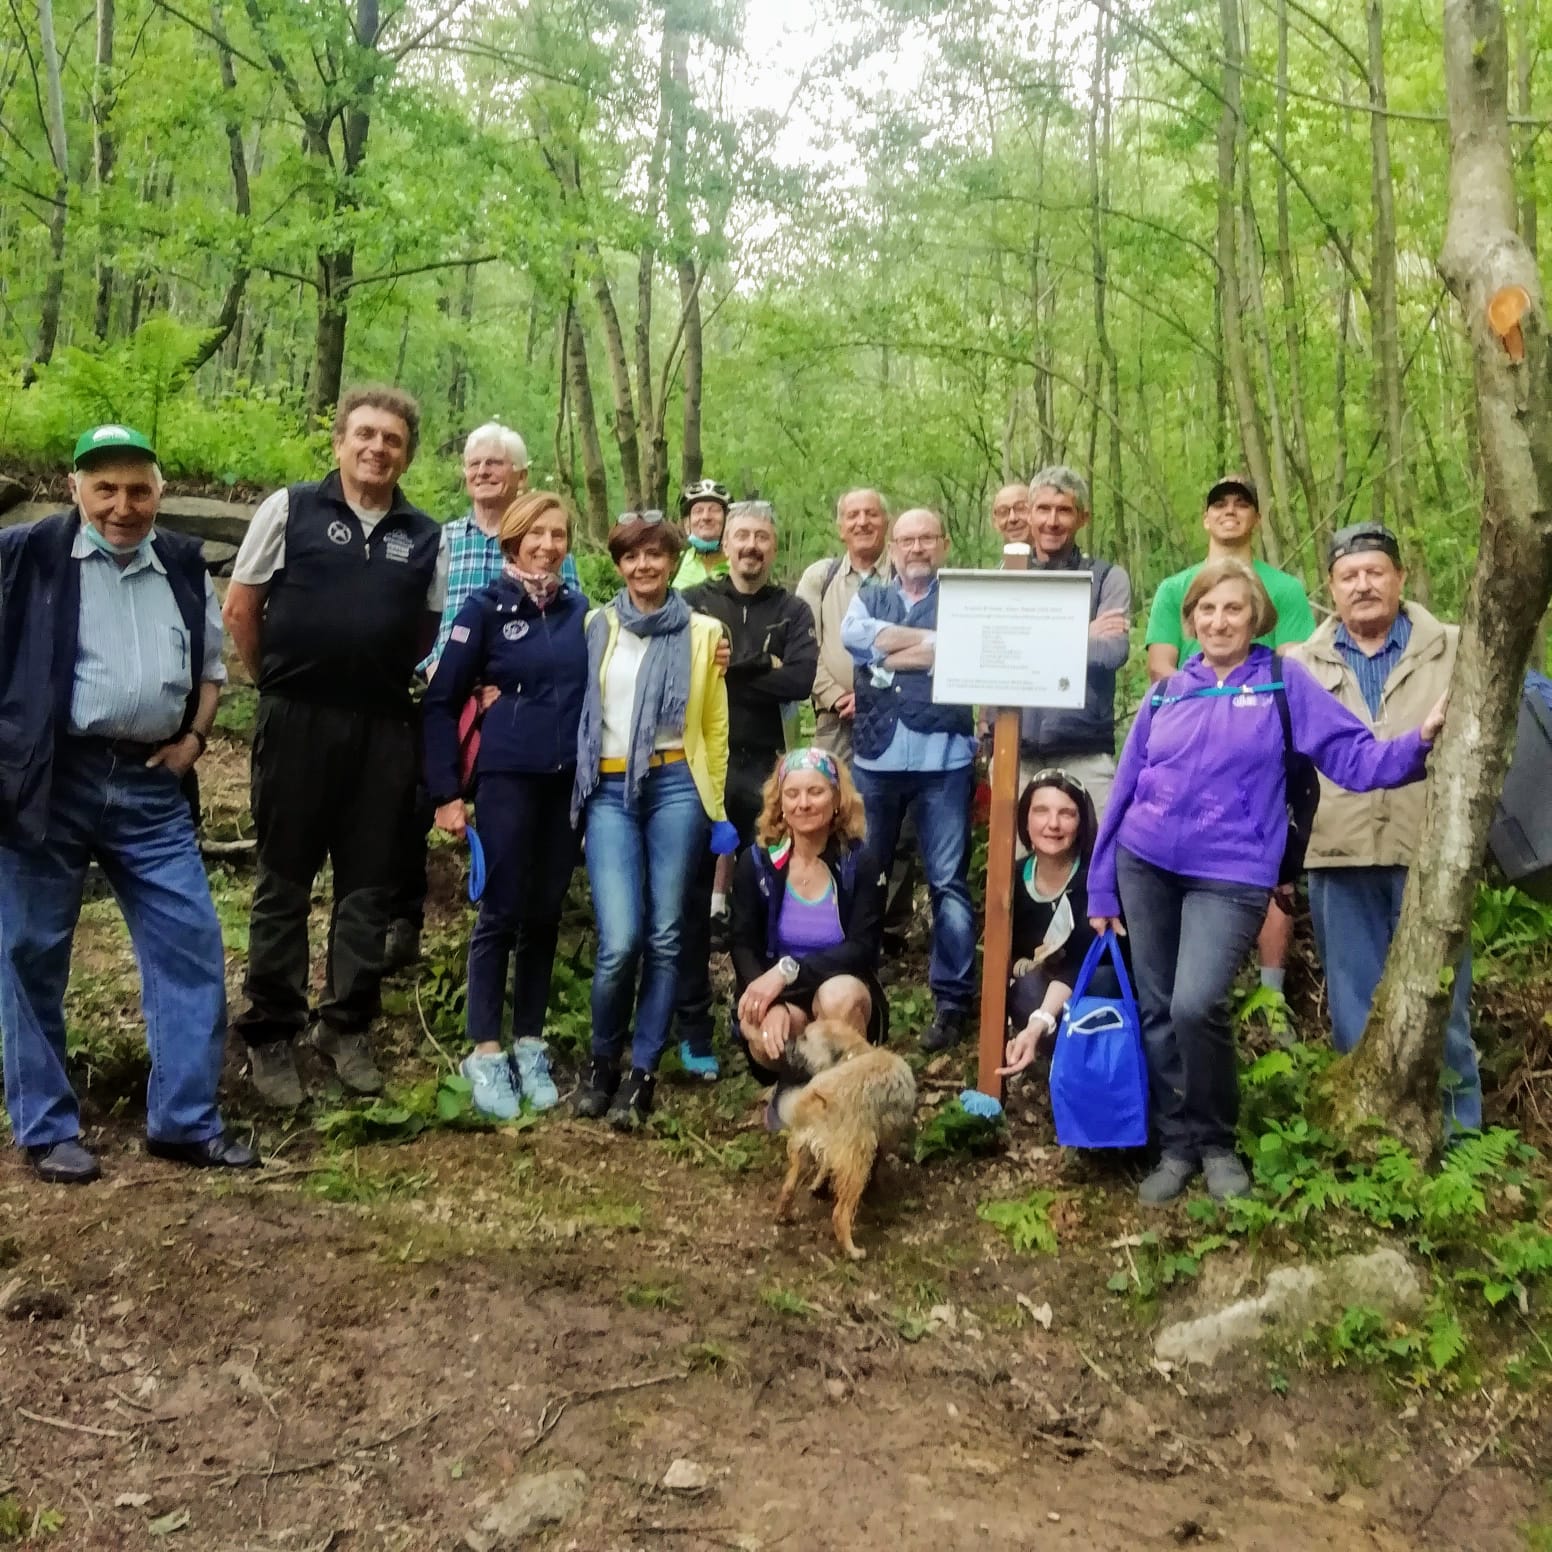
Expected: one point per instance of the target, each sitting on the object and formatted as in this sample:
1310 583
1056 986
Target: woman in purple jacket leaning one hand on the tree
1191 848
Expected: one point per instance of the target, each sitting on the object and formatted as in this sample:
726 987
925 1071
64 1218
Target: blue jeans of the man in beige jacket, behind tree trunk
1356 912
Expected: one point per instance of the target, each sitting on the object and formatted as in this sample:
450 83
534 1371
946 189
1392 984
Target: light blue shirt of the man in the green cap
133 648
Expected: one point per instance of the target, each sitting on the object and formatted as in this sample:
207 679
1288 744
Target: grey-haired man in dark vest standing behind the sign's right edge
1079 743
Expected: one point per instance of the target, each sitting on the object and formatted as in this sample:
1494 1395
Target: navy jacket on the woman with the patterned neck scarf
536 659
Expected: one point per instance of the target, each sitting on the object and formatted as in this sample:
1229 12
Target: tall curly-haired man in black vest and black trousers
336 595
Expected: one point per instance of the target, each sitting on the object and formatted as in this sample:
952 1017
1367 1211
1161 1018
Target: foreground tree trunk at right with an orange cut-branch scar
1394 1073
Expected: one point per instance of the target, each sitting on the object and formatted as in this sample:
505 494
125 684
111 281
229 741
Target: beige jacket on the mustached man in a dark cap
1379 830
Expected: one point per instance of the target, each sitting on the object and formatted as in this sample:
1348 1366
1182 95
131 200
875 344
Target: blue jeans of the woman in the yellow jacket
639 865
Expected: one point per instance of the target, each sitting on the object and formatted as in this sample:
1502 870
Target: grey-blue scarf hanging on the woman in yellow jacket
662 693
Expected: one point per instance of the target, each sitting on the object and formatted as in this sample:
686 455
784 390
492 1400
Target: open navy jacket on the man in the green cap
40 622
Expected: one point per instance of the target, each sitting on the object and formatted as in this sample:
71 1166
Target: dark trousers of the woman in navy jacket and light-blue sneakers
525 826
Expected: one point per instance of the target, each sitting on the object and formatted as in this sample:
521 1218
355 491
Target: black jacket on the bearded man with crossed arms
775 656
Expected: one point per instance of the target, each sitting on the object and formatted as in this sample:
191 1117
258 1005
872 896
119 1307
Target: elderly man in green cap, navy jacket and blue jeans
109 679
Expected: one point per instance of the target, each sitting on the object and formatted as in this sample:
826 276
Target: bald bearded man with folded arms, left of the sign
913 755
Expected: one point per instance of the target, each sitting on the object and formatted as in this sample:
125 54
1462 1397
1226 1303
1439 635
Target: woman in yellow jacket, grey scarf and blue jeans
653 760
